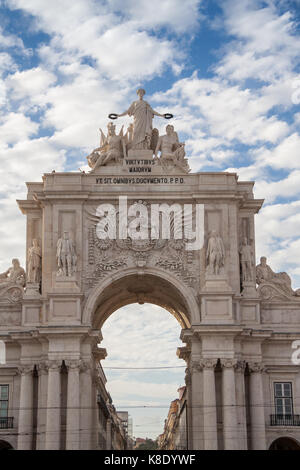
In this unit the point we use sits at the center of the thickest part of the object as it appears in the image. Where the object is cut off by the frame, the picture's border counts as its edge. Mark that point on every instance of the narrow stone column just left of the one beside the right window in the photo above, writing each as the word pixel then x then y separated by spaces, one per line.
pixel 241 405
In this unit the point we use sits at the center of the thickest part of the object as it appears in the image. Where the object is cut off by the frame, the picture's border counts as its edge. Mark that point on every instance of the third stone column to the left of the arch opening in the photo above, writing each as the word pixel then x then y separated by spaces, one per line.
pixel 53 406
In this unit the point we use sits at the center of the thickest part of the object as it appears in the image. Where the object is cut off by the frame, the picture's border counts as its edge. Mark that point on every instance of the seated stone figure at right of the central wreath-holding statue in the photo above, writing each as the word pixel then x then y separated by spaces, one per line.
pixel 172 149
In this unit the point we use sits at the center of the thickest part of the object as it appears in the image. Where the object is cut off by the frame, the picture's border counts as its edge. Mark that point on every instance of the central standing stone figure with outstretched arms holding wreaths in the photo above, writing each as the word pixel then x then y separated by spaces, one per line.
pixel 142 121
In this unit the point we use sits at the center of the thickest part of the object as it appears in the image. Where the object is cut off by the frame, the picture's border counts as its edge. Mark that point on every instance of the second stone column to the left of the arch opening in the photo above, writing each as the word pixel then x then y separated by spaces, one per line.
pixel 73 405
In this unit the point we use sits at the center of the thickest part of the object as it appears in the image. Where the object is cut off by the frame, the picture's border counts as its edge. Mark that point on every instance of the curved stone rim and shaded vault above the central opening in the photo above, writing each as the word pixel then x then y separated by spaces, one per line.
pixel 136 285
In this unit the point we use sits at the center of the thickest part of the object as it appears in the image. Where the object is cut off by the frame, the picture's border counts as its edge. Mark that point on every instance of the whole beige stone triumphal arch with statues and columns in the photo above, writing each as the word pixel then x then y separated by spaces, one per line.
pixel 138 226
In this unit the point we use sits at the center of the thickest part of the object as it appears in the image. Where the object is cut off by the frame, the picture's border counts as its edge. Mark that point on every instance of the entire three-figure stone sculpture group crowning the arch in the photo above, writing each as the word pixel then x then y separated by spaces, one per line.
pixel 140 135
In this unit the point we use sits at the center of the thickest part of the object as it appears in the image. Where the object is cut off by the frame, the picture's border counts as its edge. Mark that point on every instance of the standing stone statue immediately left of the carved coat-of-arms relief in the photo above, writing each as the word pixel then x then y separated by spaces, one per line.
pixel 66 256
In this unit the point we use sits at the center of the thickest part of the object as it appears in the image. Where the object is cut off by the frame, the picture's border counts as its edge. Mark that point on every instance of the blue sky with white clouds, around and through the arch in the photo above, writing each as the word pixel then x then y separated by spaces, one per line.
pixel 229 72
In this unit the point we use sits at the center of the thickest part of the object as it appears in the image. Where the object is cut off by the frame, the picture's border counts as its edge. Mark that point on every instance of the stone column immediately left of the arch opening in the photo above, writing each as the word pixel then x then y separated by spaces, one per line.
pixel 87 411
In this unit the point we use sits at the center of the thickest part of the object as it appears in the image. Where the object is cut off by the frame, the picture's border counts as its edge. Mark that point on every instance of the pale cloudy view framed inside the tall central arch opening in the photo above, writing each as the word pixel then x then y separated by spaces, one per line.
pixel 143 373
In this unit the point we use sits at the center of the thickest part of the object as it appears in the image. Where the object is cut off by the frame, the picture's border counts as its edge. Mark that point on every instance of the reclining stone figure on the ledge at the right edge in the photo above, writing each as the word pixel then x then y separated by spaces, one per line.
pixel 264 274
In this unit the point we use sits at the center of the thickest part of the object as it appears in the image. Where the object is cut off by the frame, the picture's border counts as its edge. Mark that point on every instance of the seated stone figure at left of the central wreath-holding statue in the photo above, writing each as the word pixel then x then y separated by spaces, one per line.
pixel 112 147
